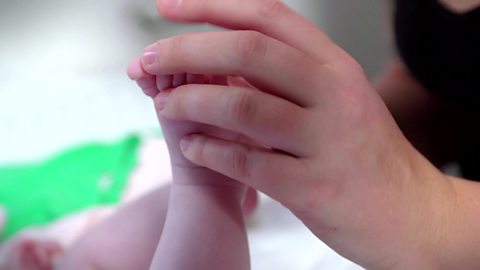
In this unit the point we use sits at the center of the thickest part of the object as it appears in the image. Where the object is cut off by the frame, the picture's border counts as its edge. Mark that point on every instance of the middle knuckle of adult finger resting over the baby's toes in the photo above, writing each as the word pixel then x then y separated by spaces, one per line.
pixel 251 47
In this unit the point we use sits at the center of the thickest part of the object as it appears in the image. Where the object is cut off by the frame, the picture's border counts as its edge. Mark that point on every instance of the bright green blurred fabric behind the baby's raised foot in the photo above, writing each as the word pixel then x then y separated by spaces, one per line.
pixel 89 175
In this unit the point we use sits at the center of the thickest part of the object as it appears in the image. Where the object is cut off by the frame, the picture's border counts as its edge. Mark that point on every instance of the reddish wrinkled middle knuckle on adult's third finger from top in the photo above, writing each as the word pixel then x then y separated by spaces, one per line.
pixel 242 107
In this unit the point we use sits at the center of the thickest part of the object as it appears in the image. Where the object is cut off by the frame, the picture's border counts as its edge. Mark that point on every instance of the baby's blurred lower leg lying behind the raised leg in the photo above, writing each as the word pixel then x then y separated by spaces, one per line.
pixel 126 240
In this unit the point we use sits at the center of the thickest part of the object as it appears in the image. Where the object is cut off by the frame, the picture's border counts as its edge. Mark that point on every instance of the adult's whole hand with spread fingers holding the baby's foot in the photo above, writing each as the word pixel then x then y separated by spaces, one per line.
pixel 334 155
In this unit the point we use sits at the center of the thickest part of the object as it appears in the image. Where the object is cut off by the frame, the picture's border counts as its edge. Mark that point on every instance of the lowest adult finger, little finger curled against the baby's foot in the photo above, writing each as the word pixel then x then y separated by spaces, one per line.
pixel 268 171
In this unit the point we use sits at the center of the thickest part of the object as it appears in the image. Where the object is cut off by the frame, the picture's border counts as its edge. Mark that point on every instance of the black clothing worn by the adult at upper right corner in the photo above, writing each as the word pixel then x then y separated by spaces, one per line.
pixel 441 49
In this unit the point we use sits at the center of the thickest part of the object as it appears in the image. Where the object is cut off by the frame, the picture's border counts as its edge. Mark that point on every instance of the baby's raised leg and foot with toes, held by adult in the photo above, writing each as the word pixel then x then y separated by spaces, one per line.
pixel 204 206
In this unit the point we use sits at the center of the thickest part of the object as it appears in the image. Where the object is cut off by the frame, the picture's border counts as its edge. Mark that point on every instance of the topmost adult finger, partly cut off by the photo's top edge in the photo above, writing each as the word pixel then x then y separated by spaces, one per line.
pixel 270 17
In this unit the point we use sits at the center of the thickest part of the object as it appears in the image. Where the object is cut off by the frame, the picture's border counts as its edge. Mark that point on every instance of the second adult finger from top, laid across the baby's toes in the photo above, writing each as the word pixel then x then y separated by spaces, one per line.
pixel 266 63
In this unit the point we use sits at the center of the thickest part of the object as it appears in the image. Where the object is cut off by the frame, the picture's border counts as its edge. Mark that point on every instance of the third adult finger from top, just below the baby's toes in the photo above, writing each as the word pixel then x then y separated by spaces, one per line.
pixel 265 118
